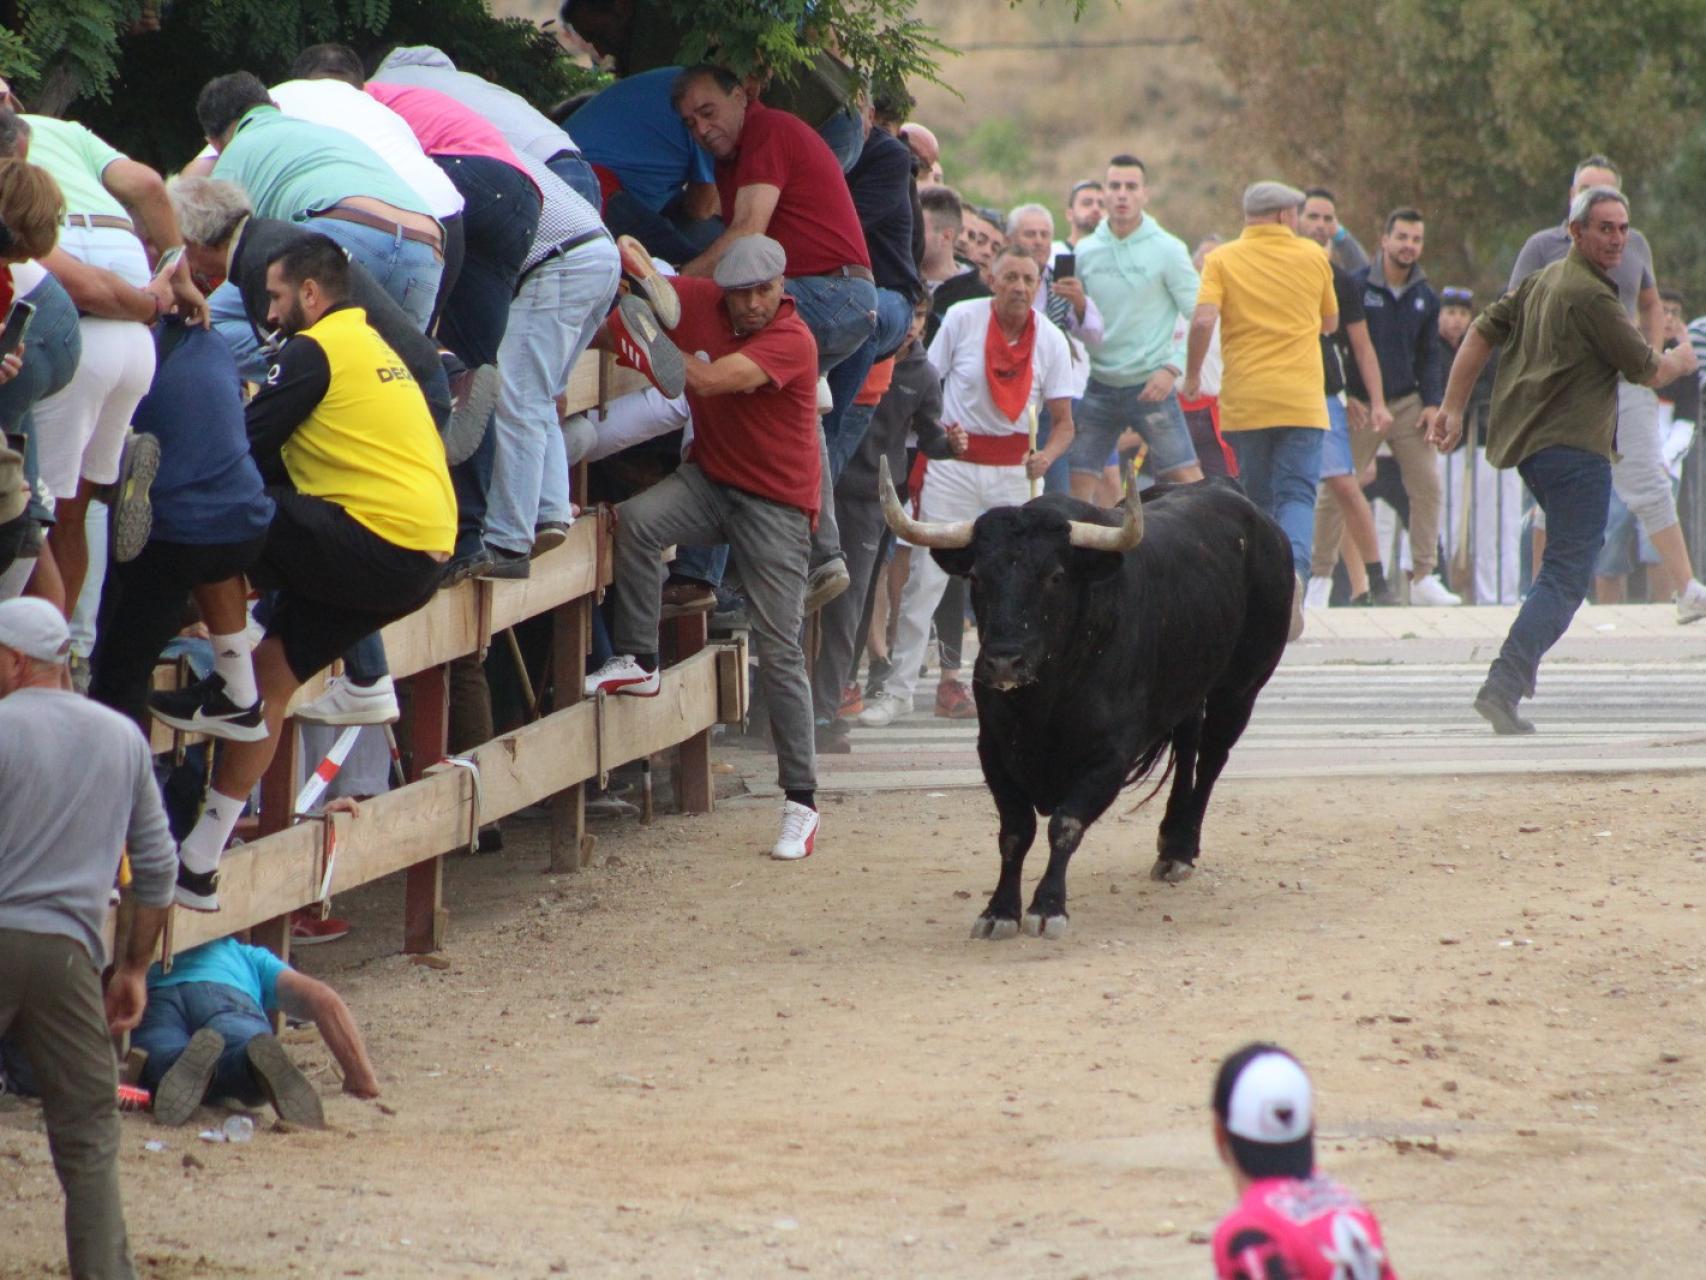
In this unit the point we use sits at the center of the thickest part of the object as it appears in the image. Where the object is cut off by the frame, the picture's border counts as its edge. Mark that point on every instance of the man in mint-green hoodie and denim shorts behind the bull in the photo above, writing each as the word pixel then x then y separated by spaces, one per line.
pixel 1142 281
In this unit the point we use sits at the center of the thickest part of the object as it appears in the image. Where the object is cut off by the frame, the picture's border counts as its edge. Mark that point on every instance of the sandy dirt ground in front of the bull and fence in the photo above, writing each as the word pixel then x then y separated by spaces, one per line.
pixel 692 1061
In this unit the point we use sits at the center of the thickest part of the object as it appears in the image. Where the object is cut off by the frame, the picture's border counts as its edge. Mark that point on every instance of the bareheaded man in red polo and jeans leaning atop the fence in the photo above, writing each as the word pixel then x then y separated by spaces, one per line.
pixel 777 178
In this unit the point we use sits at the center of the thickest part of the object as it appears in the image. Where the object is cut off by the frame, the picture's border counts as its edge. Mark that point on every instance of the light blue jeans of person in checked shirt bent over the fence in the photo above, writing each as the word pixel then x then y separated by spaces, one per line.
pixel 554 320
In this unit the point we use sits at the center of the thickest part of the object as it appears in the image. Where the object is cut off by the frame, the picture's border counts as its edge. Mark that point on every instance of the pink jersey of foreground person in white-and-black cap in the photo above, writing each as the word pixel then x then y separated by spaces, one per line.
pixel 1301 1230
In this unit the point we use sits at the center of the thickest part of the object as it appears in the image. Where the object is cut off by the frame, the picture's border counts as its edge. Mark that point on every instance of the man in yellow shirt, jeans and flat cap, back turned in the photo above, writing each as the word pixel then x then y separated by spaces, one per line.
pixel 1272 293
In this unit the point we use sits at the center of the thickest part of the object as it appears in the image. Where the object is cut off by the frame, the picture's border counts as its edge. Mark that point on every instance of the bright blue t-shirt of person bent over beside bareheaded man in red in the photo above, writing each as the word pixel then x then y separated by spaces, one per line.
pixel 632 131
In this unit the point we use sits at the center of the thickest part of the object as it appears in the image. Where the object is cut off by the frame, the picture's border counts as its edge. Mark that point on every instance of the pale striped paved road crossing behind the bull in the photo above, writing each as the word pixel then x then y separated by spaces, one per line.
pixel 1357 719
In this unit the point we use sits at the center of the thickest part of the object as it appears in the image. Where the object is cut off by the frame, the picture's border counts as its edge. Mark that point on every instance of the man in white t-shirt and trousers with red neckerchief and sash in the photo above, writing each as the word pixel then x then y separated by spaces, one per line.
pixel 1001 364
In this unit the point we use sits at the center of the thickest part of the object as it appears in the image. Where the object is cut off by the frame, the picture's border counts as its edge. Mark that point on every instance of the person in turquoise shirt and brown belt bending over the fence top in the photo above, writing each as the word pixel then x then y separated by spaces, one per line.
pixel 301 172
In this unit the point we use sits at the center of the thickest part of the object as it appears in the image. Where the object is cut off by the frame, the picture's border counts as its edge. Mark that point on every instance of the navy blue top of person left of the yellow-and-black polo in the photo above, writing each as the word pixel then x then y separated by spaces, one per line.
pixel 209 491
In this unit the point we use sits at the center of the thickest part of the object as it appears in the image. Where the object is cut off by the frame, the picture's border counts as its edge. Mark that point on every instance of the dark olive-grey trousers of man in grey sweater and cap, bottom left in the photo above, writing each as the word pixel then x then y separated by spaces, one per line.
pixel 50 992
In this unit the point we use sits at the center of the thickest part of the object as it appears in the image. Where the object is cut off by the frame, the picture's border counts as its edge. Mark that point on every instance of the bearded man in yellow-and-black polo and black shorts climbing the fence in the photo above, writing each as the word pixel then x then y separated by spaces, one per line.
pixel 366 518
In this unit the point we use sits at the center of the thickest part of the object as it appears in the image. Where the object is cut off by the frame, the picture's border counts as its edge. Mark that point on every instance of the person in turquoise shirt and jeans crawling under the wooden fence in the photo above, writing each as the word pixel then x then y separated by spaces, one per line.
pixel 207 1035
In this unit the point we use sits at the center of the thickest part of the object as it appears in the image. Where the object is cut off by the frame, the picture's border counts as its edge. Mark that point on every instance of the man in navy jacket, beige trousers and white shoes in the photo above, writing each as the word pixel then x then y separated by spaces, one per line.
pixel 1403 320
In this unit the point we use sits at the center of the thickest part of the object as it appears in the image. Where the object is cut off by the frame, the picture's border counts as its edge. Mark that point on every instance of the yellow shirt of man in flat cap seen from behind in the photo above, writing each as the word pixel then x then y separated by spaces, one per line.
pixel 1274 289
